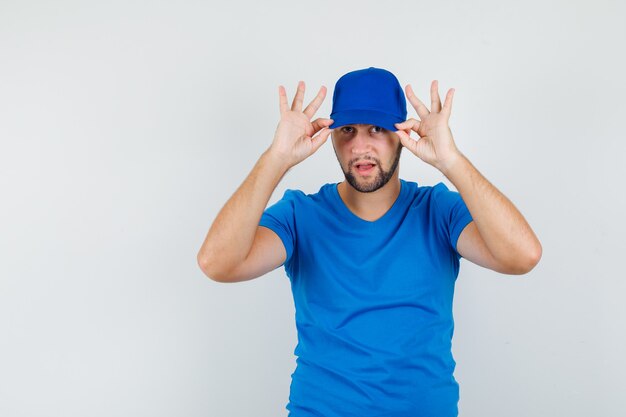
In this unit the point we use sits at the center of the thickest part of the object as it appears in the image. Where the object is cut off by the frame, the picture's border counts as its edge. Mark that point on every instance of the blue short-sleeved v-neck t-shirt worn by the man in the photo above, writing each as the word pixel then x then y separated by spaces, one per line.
pixel 373 302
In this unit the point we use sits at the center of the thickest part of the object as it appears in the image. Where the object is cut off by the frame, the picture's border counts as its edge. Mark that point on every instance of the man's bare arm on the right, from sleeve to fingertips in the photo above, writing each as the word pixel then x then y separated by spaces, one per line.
pixel 500 237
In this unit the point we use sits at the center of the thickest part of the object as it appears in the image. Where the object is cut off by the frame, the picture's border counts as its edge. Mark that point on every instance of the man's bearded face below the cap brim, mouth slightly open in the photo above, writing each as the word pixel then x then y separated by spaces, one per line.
pixel 358 145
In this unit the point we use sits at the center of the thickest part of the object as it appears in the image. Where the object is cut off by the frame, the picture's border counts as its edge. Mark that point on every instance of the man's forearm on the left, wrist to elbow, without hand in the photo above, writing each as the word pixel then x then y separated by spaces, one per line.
pixel 232 233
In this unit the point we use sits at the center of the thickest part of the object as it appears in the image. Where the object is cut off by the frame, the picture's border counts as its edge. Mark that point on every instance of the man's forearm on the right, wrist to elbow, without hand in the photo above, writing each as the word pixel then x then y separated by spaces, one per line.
pixel 504 230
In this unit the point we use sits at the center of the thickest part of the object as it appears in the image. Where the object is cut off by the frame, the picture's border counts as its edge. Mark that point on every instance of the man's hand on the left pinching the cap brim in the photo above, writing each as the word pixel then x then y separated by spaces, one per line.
pixel 293 141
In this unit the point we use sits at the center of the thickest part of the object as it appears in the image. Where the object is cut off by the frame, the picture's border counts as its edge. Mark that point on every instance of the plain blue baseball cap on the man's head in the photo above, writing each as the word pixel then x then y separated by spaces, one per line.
pixel 368 96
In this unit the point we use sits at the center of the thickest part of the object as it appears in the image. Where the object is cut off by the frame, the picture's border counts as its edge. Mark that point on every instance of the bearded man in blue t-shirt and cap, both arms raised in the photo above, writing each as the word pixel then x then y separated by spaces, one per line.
pixel 372 260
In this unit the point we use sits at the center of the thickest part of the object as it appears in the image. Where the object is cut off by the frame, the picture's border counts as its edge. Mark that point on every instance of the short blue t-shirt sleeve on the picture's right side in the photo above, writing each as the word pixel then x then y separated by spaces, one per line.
pixel 454 214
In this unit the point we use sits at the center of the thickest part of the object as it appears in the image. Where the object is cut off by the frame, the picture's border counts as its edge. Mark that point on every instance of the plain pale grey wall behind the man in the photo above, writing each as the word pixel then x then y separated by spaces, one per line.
pixel 126 125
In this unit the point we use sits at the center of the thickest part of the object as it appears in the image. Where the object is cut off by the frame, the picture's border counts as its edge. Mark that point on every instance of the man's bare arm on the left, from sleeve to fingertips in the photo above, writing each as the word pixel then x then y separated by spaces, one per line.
pixel 225 253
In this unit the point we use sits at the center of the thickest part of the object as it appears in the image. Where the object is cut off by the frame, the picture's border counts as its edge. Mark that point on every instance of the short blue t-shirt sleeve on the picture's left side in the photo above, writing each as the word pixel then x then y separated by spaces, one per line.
pixel 280 217
